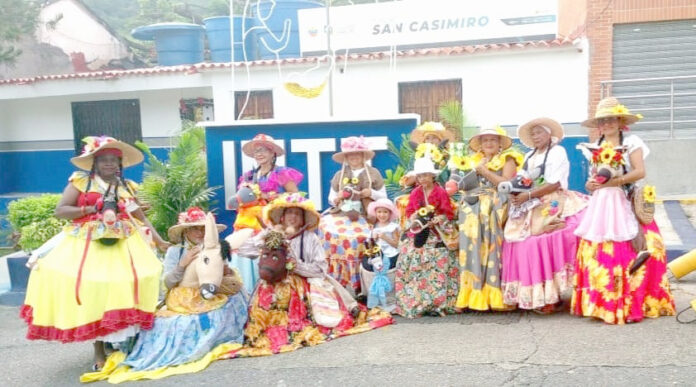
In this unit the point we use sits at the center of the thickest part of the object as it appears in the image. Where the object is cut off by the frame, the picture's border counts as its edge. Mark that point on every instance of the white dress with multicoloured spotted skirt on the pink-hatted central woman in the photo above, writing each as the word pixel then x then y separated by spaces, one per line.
pixel 344 240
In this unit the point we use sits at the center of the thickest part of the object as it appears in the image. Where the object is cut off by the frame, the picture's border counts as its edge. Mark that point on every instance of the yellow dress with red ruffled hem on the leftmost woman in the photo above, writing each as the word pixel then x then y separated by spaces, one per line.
pixel 84 289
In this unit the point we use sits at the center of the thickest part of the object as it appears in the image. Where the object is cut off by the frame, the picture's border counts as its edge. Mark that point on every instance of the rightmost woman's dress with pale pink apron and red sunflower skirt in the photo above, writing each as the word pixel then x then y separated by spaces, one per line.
pixel 603 287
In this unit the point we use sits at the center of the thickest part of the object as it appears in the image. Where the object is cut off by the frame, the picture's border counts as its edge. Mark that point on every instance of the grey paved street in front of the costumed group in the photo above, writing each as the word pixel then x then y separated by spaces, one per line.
pixel 515 348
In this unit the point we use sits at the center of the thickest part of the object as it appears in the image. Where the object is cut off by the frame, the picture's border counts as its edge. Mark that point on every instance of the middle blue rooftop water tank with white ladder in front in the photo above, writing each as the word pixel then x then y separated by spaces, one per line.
pixel 218 31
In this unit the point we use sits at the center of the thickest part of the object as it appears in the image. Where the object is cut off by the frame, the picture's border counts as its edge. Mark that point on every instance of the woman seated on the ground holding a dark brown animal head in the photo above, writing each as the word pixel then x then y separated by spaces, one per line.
pixel 282 315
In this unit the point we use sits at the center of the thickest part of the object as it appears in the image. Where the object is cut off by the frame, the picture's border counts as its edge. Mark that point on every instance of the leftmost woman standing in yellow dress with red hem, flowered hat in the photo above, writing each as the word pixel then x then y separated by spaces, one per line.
pixel 101 281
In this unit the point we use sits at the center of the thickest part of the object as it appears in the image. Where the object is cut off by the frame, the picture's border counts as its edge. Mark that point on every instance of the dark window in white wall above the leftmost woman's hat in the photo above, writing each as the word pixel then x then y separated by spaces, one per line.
pixel 116 118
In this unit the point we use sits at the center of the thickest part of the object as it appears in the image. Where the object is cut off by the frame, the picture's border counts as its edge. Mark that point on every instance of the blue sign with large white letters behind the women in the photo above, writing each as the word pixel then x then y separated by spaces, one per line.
pixel 308 148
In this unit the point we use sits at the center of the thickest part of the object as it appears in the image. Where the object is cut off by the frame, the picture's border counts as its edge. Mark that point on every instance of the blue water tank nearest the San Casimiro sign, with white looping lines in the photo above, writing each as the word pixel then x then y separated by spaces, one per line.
pixel 283 10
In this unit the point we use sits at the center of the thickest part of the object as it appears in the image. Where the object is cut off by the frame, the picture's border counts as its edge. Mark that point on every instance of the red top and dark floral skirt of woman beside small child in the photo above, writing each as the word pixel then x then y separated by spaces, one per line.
pixel 427 277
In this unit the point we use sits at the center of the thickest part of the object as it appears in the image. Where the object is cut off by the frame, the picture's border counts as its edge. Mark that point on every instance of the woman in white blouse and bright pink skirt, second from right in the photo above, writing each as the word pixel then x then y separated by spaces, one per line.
pixel 539 247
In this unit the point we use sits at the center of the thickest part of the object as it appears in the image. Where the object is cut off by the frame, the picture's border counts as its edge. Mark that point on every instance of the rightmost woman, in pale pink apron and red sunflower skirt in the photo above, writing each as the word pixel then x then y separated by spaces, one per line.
pixel 611 282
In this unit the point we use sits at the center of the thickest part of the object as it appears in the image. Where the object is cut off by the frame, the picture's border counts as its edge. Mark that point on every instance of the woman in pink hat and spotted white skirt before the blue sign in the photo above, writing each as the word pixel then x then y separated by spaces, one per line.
pixel 345 228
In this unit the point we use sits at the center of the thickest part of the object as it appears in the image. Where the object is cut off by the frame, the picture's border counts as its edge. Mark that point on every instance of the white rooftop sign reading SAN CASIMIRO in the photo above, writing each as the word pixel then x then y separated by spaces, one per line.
pixel 414 23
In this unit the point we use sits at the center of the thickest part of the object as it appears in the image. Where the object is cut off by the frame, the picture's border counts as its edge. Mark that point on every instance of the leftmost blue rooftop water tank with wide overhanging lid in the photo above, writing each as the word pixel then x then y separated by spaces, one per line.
pixel 176 43
